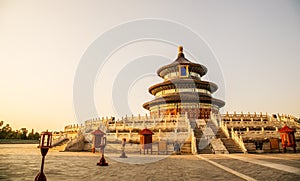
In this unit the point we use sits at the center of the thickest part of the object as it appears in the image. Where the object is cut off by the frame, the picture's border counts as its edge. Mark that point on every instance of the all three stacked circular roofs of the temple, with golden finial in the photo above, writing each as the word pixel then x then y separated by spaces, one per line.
pixel 185 85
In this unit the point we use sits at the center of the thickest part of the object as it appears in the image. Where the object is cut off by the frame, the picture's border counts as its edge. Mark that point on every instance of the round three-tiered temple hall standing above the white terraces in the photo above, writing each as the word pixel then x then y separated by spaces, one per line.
pixel 183 91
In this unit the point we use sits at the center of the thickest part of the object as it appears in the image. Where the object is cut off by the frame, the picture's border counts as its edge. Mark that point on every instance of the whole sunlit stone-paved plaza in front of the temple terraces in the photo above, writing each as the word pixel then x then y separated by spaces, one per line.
pixel 24 164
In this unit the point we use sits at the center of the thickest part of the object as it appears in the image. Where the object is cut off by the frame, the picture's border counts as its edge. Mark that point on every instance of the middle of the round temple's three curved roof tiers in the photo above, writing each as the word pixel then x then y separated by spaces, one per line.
pixel 183 83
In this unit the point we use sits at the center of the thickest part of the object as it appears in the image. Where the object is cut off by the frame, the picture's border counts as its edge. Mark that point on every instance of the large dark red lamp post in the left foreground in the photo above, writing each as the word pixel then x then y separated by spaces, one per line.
pixel 45 144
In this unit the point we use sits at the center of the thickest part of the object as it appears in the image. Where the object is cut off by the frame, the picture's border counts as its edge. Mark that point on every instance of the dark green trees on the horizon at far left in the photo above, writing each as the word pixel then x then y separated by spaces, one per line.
pixel 6 132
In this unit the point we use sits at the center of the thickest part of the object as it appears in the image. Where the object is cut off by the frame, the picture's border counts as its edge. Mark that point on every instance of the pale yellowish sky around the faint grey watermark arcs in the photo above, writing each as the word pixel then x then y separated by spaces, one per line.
pixel 256 45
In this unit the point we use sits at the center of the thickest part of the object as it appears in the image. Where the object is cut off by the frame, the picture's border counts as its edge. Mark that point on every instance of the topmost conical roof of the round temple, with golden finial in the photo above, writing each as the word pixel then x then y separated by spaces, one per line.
pixel 181 60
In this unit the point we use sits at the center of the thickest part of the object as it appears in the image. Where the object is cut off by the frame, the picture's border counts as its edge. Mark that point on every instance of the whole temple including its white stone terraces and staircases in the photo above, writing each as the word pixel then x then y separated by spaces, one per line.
pixel 185 113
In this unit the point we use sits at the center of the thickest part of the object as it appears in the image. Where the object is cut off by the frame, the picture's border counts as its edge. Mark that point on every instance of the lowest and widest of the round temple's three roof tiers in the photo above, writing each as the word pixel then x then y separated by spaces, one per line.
pixel 184 97
